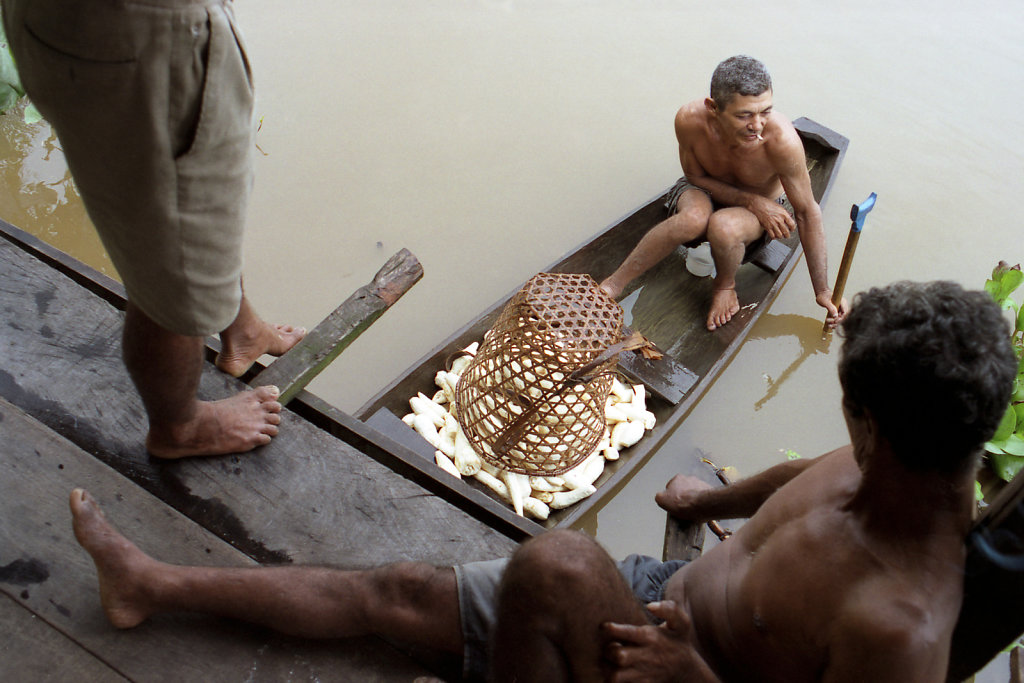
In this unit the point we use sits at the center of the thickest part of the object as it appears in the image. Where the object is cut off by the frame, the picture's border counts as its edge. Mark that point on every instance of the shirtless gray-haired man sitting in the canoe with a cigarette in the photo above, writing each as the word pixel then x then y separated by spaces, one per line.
pixel 745 182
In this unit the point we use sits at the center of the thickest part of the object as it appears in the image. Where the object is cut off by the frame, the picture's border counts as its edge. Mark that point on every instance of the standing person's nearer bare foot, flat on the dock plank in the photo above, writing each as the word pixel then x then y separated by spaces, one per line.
pixel 237 424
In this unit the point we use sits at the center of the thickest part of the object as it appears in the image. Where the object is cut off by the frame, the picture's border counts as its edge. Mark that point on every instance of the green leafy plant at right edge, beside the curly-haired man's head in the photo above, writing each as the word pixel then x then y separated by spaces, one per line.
pixel 1006 451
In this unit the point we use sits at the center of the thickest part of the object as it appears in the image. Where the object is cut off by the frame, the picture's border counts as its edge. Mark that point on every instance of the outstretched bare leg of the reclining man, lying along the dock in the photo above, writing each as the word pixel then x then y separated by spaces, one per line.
pixel 413 603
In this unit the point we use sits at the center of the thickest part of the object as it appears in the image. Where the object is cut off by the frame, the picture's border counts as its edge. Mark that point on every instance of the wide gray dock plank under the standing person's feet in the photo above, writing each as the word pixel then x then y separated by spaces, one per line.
pixel 308 497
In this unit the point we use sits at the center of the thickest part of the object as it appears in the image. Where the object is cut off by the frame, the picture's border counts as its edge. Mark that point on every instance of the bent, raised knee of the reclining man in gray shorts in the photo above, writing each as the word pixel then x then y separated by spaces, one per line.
pixel 557 592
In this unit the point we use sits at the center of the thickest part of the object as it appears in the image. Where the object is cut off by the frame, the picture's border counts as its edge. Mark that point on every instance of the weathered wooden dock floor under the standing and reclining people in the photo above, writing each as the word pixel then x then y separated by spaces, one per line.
pixel 70 417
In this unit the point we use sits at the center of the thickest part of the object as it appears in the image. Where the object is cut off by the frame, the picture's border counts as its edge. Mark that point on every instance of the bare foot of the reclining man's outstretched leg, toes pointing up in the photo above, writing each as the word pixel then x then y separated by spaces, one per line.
pixel 120 566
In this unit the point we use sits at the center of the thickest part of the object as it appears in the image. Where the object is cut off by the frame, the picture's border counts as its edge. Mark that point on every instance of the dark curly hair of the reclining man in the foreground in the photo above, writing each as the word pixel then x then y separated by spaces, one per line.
pixel 934 365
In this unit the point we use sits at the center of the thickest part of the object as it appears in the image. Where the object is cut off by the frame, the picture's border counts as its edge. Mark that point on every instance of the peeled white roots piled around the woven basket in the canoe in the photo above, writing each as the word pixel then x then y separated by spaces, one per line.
pixel 626 414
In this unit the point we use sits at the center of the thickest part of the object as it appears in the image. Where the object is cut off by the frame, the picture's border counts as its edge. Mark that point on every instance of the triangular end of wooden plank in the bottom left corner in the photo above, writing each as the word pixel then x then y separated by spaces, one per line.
pixel 33 651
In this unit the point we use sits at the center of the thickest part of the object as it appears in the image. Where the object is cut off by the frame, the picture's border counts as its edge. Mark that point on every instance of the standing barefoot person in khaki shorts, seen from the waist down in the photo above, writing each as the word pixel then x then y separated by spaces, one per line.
pixel 153 106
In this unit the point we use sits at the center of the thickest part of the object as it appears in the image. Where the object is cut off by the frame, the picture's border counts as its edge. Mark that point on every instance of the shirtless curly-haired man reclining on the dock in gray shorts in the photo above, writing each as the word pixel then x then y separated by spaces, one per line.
pixel 850 568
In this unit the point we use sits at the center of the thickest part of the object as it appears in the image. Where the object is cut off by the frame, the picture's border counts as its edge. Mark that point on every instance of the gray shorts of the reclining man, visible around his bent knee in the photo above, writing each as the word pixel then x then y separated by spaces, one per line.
pixel 479 583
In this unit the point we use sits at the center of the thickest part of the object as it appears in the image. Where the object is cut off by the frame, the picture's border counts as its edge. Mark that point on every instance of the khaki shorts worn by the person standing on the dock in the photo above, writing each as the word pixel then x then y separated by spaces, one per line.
pixel 153 104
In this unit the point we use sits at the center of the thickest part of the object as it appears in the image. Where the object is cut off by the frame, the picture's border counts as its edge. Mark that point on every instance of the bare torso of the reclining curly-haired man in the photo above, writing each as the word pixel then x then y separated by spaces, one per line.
pixel 775 601
